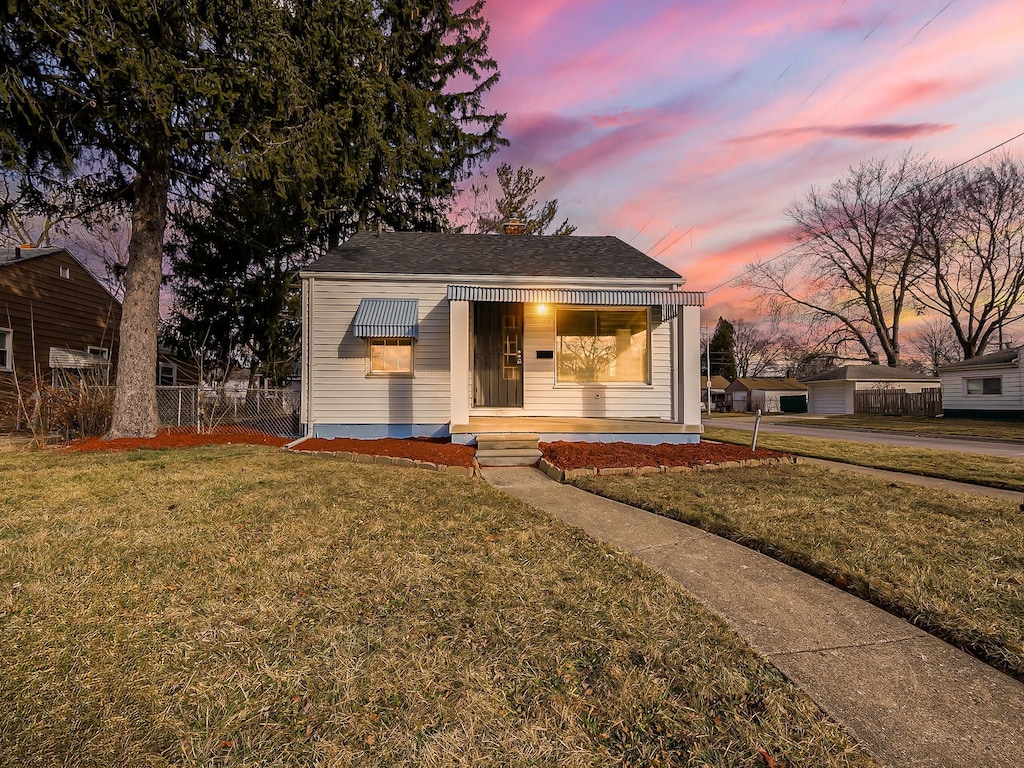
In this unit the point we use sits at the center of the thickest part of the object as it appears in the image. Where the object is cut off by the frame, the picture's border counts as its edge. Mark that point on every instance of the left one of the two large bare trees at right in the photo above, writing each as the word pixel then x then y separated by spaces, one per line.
pixel 851 270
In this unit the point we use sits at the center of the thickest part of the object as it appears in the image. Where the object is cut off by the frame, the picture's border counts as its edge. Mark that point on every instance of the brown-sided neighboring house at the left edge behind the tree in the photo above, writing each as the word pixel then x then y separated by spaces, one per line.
pixel 57 320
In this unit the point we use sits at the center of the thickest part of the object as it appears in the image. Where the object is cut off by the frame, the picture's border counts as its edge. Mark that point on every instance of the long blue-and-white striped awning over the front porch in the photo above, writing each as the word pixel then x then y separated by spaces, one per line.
pixel 577 296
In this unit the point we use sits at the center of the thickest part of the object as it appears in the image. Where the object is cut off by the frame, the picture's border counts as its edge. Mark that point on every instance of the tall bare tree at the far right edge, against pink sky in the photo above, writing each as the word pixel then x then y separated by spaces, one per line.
pixel 969 228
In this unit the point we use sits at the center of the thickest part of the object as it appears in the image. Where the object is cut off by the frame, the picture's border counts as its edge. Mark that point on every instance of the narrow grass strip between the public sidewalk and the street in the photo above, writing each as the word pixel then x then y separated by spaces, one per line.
pixel 996 472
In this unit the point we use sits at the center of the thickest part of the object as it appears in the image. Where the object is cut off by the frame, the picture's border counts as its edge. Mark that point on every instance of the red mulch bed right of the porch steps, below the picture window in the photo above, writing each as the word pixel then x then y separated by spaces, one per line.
pixel 613 455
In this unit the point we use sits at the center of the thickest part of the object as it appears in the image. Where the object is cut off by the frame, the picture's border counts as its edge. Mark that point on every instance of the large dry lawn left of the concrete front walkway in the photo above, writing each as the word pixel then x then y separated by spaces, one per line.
pixel 241 606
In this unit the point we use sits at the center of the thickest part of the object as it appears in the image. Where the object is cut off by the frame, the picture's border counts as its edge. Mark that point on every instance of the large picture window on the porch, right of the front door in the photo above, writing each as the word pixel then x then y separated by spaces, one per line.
pixel 603 346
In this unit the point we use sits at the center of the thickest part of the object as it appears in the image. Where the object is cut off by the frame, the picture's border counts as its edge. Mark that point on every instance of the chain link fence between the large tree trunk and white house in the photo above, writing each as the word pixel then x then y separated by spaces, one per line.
pixel 272 411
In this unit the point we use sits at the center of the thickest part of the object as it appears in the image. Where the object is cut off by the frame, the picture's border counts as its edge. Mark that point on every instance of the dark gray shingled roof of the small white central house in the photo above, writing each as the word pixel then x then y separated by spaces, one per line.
pixel 435 253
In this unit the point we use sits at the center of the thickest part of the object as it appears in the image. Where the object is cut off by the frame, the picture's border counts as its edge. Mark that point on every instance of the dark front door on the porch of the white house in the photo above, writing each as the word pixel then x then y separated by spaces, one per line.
pixel 498 355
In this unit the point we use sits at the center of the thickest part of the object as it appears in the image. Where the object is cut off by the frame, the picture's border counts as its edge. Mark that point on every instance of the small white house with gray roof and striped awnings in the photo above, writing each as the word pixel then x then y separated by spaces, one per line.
pixel 430 334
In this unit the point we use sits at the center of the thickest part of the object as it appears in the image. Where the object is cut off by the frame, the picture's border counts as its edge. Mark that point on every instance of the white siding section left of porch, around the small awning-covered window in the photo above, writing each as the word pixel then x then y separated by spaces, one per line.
pixel 344 394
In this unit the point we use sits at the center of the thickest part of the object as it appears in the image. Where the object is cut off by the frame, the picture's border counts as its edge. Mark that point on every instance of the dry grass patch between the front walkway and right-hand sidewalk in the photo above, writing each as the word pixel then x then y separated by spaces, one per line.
pixel 951 564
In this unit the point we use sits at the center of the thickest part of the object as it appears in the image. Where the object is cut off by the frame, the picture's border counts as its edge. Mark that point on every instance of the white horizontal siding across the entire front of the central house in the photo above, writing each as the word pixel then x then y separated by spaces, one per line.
pixel 342 393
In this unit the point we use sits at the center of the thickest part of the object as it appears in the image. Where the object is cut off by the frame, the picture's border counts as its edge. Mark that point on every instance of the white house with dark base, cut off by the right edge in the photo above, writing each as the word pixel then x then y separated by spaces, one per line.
pixel 989 388
